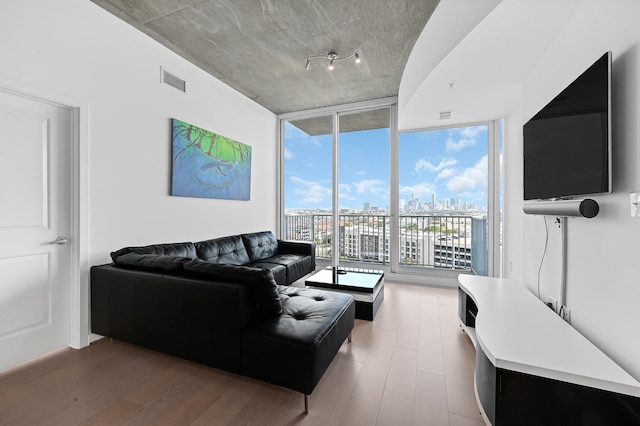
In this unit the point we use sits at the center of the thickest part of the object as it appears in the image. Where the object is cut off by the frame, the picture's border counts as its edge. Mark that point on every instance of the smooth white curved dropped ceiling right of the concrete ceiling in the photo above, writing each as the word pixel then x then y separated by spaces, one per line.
pixel 480 78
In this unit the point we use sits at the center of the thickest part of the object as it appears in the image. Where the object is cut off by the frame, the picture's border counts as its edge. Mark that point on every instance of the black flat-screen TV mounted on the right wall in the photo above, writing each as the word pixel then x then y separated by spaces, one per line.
pixel 567 144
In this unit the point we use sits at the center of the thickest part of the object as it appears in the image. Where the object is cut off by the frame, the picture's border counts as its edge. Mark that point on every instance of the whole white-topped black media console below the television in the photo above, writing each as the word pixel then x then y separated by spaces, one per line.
pixel 534 368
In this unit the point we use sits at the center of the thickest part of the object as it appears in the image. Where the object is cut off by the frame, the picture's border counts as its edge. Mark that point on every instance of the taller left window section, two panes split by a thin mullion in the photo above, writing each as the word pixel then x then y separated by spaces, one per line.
pixel 335 183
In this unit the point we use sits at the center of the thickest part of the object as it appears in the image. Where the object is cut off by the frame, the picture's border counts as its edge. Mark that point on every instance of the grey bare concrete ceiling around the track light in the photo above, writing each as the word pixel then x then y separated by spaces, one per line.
pixel 259 47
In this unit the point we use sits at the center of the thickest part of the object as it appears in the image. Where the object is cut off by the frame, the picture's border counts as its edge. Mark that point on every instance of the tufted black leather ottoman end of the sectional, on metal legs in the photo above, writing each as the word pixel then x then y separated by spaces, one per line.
pixel 311 329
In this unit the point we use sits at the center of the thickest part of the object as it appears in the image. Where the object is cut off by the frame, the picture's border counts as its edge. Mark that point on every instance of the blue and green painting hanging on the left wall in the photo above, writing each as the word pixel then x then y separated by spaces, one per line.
pixel 209 165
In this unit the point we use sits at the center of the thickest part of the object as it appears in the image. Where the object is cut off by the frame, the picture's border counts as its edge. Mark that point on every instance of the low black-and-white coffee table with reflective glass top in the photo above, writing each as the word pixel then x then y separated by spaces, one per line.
pixel 365 285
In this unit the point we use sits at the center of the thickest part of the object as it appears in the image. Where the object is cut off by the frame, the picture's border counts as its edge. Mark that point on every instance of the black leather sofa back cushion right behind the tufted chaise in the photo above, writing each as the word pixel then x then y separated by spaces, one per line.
pixel 260 282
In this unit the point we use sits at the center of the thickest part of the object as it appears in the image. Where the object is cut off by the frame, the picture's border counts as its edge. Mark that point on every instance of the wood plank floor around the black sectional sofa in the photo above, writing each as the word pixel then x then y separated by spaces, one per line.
pixel 411 366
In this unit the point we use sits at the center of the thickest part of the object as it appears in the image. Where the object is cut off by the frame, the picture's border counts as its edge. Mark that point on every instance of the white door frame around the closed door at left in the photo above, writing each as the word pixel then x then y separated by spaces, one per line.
pixel 79 261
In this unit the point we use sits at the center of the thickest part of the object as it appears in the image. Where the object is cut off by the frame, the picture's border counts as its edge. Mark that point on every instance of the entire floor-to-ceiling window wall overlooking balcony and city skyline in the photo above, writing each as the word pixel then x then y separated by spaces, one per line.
pixel 423 202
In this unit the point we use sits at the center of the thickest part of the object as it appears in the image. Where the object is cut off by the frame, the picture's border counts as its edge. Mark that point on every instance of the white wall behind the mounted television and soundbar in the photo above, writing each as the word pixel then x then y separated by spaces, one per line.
pixel 603 288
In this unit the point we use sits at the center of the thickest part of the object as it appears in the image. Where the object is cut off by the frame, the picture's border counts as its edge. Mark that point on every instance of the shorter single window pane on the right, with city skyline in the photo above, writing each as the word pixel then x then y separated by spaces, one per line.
pixel 445 177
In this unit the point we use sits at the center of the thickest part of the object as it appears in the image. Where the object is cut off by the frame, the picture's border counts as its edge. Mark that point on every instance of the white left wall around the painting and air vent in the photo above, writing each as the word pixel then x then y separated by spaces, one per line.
pixel 74 49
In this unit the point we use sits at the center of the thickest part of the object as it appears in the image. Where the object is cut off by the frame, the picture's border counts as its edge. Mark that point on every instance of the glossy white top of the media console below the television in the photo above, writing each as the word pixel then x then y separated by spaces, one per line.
pixel 517 332
